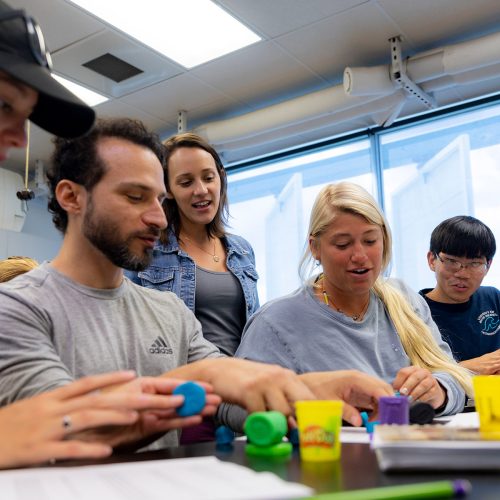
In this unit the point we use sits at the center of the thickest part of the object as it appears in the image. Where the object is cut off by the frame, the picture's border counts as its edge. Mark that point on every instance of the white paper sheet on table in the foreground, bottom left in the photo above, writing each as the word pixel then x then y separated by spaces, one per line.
pixel 180 479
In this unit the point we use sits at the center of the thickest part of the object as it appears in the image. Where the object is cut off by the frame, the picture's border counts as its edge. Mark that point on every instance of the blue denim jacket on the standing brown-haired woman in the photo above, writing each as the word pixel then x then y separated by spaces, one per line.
pixel 172 269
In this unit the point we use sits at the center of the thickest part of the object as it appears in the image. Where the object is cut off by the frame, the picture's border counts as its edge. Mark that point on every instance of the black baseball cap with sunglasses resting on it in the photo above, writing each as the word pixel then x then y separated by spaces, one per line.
pixel 23 55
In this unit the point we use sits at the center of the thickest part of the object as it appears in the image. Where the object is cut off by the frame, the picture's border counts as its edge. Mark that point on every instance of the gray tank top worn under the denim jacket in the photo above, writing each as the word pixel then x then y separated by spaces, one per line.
pixel 220 308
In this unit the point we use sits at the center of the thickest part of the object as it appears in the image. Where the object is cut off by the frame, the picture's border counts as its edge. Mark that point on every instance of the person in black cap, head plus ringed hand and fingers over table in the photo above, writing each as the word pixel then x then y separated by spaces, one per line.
pixel 42 428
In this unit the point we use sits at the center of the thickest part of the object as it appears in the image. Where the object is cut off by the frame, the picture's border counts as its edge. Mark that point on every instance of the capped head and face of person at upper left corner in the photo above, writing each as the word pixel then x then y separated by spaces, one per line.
pixel 27 86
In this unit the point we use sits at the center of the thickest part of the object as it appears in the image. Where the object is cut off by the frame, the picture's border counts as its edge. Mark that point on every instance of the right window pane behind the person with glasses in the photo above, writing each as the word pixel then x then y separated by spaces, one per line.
pixel 435 170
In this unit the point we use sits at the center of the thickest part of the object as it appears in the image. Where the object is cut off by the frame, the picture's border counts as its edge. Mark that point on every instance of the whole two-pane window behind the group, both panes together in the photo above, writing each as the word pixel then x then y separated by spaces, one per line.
pixel 428 171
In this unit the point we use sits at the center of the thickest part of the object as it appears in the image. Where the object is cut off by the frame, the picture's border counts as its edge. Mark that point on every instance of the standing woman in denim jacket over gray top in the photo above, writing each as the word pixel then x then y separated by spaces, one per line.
pixel 212 271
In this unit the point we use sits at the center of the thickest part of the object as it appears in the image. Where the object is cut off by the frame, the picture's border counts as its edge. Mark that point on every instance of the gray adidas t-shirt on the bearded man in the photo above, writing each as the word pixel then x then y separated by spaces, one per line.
pixel 54 330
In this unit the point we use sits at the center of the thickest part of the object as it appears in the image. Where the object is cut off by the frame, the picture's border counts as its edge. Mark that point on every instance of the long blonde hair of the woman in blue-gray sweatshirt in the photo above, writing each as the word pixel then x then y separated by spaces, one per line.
pixel 416 337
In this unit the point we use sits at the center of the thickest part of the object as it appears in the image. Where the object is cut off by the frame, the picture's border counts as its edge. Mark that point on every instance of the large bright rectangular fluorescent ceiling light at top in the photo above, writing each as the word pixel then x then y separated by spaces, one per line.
pixel 189 32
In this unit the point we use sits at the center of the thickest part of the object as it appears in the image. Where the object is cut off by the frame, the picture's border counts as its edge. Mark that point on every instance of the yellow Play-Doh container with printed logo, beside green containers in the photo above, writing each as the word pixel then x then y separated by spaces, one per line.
pixel 319 424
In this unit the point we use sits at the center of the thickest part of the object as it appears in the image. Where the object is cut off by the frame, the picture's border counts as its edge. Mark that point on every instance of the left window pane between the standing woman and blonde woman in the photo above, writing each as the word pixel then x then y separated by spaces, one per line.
pixel 270 206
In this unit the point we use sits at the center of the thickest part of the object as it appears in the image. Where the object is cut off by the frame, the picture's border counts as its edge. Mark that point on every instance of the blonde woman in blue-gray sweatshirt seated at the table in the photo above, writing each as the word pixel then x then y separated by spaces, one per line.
pixel 349 316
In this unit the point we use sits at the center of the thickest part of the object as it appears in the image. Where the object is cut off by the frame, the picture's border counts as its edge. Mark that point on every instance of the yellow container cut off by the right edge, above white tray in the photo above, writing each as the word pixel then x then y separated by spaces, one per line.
pixel 487 401
